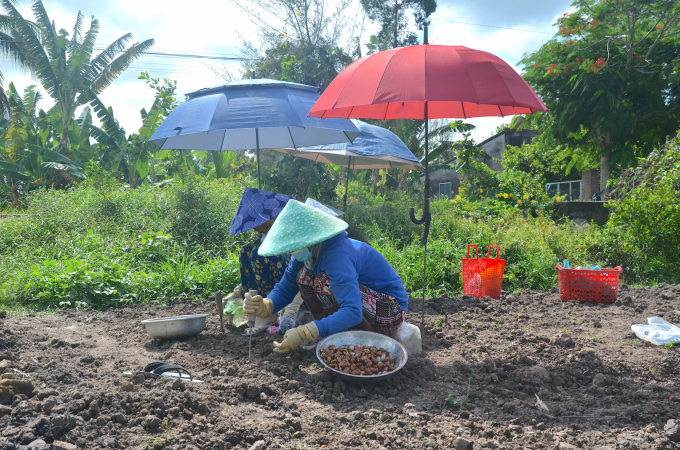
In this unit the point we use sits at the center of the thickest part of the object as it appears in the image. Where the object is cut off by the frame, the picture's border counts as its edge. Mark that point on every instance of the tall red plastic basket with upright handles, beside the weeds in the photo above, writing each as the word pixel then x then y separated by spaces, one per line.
pixel 483 276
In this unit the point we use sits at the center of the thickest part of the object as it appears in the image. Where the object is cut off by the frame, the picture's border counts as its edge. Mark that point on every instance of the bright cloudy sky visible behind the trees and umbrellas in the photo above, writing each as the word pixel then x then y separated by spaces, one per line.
pixel 212 27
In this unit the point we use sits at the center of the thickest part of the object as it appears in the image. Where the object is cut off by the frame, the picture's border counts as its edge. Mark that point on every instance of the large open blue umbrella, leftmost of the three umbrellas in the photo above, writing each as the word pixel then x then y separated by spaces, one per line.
pixel 250 114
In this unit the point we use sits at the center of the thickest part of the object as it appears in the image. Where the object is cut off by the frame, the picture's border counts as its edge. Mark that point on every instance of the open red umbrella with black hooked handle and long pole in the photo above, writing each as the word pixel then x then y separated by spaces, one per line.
pixel 427 82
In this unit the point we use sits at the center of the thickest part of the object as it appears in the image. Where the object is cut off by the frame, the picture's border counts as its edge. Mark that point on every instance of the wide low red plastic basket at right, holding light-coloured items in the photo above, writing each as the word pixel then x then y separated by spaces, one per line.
pixel 589 286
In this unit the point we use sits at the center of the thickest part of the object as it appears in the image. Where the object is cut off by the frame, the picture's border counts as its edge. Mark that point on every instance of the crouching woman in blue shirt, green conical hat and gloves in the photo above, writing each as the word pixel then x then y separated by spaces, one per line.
pixel 345 283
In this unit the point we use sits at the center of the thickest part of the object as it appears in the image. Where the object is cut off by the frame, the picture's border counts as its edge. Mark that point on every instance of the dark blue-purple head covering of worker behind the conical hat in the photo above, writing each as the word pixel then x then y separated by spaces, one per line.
pixel 257 207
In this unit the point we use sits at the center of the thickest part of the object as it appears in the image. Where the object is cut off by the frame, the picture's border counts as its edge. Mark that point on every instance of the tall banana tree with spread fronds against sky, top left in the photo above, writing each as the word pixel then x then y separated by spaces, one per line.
pixel 64 64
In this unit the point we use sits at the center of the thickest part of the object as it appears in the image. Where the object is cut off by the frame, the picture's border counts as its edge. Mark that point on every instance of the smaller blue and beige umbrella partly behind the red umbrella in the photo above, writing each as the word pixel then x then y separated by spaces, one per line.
pixel 374 148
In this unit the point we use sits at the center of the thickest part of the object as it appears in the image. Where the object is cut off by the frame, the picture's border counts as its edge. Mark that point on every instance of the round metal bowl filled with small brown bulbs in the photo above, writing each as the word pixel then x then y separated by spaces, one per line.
pixel 364 338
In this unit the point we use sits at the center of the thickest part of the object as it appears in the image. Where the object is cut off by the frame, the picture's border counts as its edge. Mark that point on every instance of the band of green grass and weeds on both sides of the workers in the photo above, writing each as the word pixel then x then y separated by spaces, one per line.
pixel 102 245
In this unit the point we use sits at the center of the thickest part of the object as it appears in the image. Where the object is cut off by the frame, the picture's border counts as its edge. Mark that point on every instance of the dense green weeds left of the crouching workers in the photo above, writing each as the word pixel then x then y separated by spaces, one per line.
pixel 103 245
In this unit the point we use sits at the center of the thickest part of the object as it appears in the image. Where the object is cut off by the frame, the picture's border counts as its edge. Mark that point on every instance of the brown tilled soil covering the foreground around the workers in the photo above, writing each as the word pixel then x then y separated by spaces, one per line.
pixel 476 385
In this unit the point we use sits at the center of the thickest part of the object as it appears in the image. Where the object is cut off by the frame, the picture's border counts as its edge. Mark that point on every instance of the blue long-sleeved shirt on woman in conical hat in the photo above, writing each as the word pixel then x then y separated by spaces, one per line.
pixel 347 263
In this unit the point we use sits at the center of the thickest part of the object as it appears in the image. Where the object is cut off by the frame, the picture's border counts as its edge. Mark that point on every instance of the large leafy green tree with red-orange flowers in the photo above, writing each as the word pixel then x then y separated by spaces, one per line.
pixel 611 72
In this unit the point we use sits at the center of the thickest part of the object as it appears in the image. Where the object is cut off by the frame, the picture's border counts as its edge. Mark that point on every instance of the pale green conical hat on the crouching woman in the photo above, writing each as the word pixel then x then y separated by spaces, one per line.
pixel 298 226
